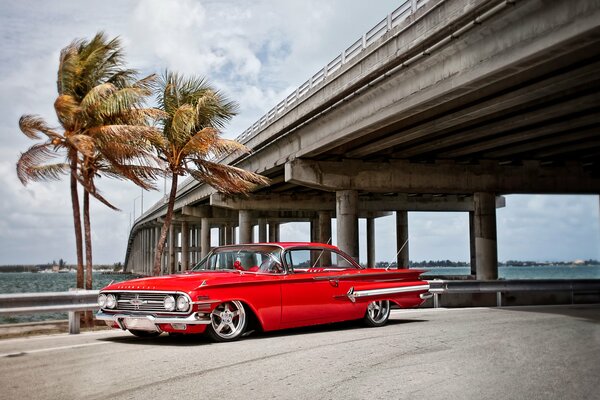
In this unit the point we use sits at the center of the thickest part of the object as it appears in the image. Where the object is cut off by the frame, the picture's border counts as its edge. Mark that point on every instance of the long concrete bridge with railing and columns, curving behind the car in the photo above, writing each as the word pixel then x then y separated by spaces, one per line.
pixel 445 105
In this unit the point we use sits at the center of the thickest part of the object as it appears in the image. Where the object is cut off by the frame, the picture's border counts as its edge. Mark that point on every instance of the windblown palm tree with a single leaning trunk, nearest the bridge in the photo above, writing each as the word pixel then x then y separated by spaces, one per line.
pixel 194 114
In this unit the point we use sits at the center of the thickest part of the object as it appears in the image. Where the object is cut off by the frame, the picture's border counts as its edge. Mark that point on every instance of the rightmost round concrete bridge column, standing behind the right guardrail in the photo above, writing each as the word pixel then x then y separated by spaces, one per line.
pixel 486 249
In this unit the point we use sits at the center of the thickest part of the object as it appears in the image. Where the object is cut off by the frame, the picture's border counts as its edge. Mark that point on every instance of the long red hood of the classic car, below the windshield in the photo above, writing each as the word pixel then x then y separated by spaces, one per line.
pixel 187 281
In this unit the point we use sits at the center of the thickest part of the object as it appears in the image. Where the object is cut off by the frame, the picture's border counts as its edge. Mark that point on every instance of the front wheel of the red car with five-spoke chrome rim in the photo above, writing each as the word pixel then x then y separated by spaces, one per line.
pixel 227 321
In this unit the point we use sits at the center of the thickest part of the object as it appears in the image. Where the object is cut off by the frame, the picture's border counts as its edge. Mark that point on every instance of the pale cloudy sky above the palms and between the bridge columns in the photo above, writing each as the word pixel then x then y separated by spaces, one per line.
pixel 255 52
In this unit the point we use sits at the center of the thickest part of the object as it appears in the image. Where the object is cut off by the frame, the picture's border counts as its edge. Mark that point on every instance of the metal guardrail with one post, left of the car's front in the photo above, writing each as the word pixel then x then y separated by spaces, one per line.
pixel 73 302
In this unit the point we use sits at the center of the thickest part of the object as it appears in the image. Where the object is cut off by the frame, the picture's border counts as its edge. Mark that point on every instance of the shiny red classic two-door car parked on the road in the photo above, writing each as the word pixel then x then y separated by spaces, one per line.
pixel 267 286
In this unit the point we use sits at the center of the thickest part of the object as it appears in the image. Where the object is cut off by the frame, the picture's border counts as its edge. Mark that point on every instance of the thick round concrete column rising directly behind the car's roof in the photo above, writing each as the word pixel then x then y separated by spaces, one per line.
pixel 347 221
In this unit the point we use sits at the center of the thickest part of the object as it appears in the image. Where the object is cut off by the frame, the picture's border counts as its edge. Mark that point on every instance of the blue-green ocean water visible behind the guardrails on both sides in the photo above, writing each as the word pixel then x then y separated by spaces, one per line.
pixel 50 282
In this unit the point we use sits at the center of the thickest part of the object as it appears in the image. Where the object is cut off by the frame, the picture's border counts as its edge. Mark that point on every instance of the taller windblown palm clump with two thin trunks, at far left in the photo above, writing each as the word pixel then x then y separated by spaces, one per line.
pixel 104 129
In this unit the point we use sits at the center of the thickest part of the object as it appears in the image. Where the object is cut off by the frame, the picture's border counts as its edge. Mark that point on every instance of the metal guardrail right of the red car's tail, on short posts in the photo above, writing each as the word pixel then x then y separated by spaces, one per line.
pixel 444 287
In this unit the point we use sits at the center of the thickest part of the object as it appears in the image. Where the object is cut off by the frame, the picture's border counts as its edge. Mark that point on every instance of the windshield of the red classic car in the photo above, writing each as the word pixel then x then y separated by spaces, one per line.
pixel 244 258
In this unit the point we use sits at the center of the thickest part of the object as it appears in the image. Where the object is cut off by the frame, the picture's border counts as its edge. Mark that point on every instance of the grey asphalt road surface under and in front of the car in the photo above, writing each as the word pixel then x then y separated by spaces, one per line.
pixel 508 353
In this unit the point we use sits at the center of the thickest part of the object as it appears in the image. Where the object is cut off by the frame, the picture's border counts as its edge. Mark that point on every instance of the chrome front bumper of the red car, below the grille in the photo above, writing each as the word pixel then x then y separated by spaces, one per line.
pixel 150 322
